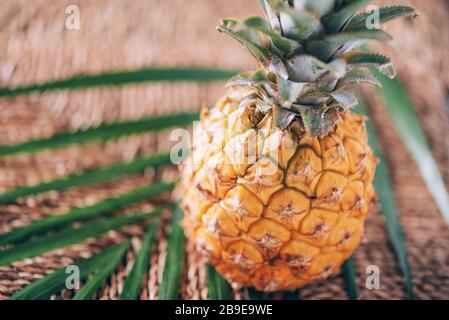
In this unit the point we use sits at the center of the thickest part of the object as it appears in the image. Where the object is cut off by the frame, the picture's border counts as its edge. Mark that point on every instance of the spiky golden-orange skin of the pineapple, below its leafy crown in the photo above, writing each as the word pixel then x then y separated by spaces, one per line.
pixel 275 209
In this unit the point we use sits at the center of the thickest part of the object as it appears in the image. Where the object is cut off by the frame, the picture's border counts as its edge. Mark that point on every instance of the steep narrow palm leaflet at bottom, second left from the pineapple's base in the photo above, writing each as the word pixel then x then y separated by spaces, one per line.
pixel 133 282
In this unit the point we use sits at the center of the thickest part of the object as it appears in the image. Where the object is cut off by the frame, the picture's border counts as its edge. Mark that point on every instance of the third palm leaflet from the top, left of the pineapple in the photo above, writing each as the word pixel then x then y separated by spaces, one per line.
pixel 88 177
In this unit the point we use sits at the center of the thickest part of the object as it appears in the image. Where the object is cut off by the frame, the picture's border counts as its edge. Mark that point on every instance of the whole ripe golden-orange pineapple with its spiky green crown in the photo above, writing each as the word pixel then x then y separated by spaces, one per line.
pixel 279 180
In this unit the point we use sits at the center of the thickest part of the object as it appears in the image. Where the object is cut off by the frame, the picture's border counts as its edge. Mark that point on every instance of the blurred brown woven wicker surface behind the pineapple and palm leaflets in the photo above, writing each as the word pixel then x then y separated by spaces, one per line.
pixel 119 34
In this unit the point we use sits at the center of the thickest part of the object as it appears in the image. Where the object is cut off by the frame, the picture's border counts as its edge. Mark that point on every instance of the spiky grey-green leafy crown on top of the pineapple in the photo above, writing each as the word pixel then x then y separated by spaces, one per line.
pixel 311 57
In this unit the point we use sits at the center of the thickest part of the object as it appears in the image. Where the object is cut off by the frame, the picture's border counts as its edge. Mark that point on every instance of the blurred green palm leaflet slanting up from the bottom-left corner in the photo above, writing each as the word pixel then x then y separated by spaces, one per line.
pixel 54 282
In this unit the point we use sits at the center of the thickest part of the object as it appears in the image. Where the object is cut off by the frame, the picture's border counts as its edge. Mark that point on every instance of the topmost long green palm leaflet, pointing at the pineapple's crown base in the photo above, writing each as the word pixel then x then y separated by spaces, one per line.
pixel 123 77
